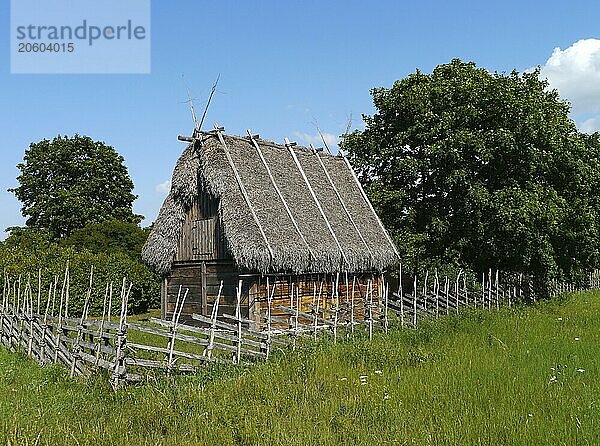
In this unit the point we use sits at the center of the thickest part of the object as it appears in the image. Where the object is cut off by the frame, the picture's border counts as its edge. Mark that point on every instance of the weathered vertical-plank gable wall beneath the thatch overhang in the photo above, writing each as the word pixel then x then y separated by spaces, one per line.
pixel 202 236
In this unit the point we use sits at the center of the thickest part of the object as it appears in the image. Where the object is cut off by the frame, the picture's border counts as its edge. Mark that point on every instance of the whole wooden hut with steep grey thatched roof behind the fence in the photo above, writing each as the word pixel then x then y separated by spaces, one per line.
pixel 245 209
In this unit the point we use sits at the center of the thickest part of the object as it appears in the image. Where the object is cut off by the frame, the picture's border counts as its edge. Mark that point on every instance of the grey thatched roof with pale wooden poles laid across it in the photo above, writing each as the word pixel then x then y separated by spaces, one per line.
pixel 274 222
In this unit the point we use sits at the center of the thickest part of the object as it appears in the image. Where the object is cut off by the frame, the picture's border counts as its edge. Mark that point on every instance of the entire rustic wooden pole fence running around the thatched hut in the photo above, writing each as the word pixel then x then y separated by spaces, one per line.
pixel 129 352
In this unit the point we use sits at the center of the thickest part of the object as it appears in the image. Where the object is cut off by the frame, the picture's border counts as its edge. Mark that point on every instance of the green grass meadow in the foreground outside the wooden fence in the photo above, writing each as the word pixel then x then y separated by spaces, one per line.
pixel 525 376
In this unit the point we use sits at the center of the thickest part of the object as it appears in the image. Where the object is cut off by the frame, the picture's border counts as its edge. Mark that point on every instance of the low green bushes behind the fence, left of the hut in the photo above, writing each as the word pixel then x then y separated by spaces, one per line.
pixel 22 255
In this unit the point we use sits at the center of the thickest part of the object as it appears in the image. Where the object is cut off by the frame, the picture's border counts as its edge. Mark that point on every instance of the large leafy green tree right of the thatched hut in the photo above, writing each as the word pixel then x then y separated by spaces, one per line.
pixel 482 169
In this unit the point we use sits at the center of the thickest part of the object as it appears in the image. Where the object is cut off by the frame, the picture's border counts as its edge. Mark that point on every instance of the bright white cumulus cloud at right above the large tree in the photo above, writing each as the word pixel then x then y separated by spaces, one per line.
pixel 575 73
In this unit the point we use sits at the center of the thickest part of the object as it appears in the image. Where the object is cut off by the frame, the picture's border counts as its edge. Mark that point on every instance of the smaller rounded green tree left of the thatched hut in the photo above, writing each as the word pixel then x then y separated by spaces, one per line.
pixel 70 182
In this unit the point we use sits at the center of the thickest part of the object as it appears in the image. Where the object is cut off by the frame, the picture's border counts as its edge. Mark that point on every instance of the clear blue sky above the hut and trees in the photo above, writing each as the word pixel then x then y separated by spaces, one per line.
pixel 284 66
